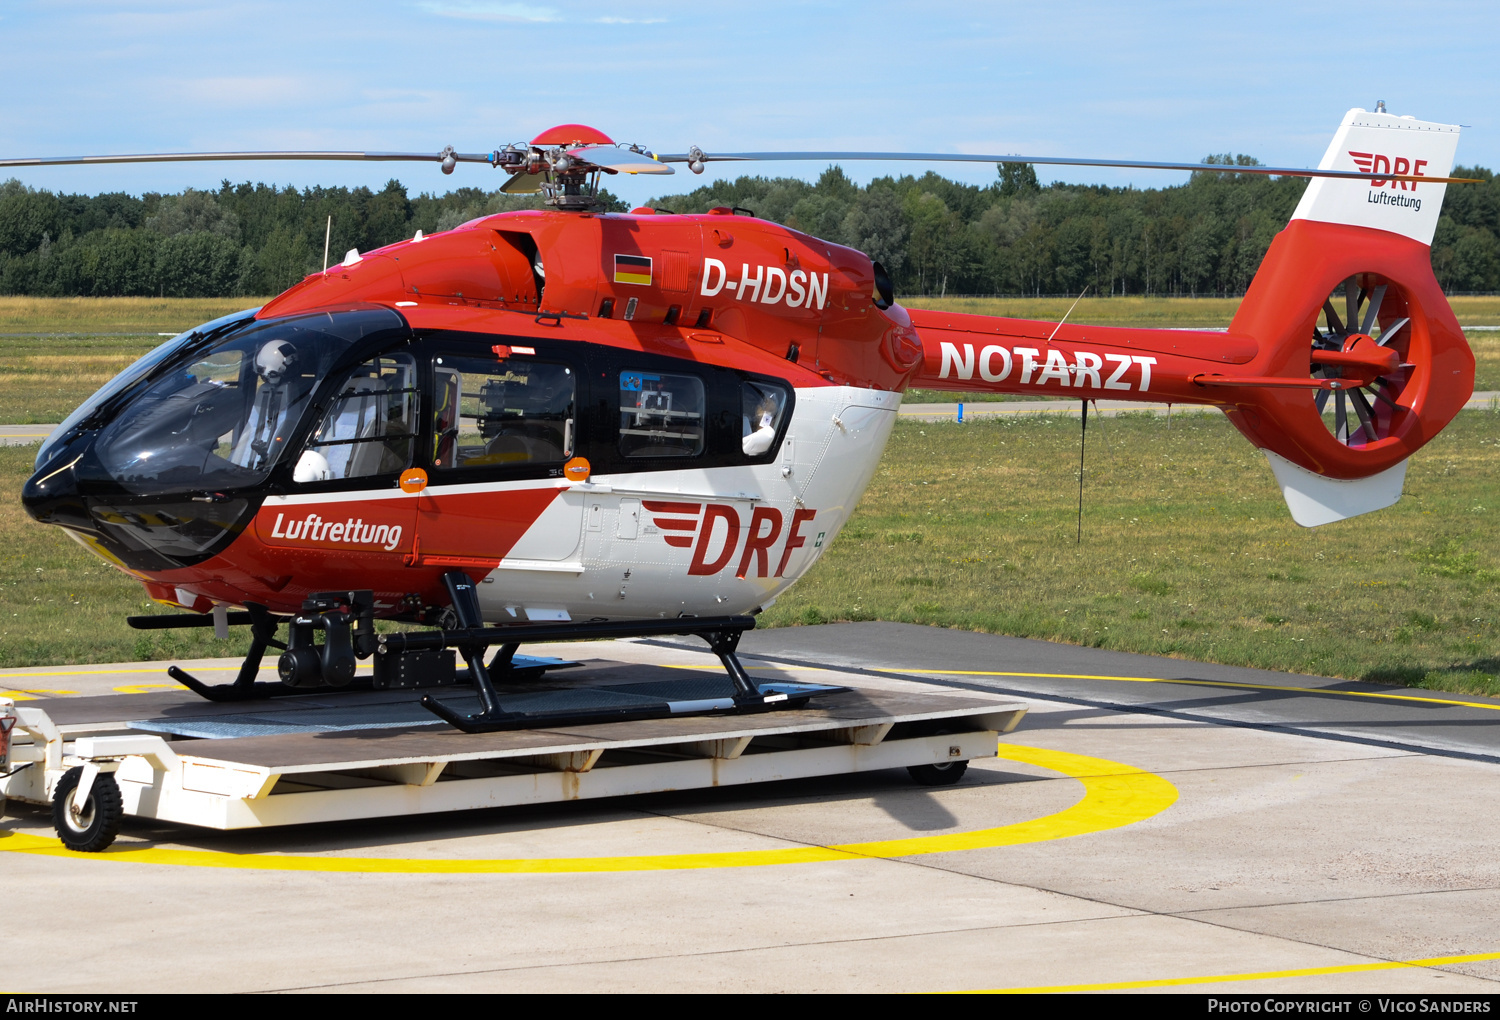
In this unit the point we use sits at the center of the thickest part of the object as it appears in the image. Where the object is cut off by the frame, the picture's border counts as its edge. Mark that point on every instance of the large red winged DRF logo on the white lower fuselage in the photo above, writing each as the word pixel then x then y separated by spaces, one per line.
pixel 719 530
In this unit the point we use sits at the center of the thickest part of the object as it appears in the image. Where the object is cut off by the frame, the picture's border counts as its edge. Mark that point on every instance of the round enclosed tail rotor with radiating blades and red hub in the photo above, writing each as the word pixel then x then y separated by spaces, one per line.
pixel 1363 346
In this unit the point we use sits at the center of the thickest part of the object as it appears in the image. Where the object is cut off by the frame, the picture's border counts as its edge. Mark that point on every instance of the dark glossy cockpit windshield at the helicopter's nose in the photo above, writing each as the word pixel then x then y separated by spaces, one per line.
pixel 172 460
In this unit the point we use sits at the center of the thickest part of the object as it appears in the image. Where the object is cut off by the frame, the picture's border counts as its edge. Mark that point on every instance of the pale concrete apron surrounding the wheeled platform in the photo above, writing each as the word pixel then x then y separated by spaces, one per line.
pixel 1286 863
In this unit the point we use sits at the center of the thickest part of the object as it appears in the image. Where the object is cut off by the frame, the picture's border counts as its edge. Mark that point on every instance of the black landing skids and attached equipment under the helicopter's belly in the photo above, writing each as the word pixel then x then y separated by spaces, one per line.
pixel 428 659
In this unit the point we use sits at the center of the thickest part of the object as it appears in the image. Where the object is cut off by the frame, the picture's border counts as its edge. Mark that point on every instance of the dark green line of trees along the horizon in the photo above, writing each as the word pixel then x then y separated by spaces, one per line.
pixel 934 236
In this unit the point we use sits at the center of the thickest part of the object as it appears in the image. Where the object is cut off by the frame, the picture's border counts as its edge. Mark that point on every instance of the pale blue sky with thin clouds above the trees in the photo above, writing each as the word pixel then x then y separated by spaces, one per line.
pixel 1171 82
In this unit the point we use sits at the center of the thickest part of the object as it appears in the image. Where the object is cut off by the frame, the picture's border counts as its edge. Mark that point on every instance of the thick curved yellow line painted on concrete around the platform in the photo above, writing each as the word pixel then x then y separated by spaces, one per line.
pixel 1114 796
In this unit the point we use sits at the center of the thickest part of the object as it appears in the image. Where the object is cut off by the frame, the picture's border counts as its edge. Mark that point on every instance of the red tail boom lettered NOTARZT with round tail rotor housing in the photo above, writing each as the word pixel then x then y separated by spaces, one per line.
pixel 1268 371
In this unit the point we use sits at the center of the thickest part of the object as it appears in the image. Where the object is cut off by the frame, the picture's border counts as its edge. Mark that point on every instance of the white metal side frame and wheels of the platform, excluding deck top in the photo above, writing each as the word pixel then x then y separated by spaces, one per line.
pixel 94 775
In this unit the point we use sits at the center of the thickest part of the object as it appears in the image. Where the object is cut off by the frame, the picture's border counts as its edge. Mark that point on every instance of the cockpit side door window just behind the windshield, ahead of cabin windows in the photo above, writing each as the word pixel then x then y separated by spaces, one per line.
pixel 370 427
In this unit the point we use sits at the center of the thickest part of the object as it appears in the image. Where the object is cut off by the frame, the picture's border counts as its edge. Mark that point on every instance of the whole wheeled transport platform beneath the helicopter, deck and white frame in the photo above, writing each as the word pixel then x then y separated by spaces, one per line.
pixel 334 757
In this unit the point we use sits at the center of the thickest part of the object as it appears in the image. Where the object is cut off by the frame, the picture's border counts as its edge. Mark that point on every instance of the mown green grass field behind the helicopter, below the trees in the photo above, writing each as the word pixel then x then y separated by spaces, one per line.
pixel 1187 547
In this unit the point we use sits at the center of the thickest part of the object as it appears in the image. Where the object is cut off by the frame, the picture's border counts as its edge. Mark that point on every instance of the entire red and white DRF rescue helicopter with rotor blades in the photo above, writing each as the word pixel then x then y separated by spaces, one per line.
pixel 574 424
